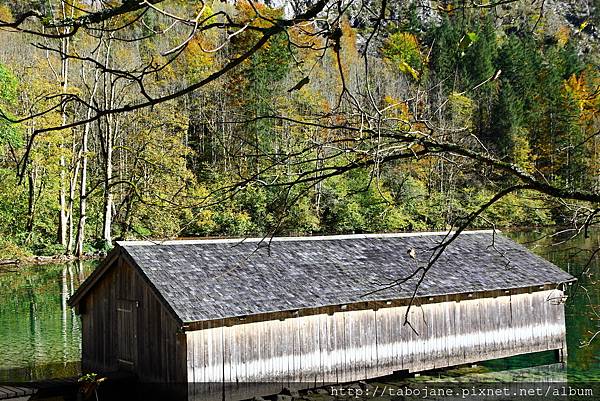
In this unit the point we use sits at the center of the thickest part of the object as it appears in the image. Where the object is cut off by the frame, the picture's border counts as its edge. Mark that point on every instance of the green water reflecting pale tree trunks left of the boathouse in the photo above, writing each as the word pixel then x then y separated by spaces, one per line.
pixel 40 333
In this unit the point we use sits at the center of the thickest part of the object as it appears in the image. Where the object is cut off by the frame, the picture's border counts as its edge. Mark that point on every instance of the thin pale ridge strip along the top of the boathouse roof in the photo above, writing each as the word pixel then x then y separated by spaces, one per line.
pixel 297 238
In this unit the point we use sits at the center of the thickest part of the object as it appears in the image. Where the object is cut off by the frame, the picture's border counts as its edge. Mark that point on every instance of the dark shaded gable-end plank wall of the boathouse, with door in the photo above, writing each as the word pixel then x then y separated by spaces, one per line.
pixel 149 336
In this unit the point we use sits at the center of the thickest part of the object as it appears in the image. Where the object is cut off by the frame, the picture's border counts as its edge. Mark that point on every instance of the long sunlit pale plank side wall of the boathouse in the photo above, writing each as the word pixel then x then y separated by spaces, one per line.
pixel 355 345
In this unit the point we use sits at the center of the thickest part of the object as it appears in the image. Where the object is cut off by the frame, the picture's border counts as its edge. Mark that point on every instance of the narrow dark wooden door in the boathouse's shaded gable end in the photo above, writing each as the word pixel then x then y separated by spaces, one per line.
pixel 126 334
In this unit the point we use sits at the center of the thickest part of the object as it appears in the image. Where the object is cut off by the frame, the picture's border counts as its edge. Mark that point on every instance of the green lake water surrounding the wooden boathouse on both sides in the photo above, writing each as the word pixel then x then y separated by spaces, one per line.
pixel 40 335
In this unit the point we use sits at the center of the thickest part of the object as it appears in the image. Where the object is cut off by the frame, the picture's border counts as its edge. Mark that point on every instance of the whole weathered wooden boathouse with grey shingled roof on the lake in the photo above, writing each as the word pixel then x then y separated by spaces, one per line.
pixel 303 309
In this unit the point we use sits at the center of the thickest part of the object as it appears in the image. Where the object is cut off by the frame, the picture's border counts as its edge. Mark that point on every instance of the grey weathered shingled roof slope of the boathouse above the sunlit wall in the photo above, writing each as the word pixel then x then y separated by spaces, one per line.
pixel 204 280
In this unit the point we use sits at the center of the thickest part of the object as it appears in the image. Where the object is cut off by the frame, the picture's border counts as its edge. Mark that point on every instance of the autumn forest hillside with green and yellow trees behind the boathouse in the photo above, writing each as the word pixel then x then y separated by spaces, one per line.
pixel 257 150
